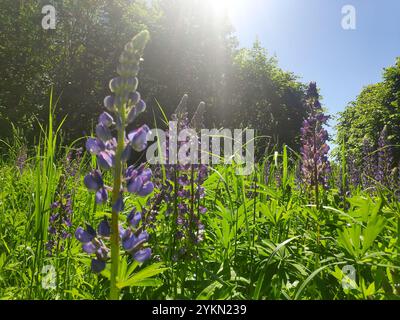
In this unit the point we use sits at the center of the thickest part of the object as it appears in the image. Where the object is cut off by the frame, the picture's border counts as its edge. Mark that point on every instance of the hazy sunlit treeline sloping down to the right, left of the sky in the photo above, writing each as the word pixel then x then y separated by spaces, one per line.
pixel 191 51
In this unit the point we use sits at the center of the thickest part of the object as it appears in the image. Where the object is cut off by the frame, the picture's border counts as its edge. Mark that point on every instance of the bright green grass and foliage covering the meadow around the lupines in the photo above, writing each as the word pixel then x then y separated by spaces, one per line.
pixel 264 240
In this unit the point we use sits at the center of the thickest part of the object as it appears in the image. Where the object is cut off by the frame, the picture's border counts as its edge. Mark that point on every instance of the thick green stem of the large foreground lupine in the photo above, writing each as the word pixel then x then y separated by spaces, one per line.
pixel 114 291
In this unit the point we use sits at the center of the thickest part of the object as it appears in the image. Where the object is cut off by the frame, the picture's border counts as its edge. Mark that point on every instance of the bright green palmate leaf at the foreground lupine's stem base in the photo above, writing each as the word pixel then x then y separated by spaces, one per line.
pixel 143 277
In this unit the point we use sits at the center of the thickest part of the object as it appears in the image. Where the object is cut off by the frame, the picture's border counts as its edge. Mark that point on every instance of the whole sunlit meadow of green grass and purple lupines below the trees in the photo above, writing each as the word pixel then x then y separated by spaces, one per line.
pixel 95 218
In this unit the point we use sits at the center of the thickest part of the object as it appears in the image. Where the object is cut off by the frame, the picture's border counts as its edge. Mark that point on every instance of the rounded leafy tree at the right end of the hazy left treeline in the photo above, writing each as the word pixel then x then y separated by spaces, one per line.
pixel 265 97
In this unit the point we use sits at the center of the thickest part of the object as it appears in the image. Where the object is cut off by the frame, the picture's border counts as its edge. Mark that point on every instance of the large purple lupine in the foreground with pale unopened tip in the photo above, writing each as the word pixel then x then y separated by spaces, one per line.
pixel 124 105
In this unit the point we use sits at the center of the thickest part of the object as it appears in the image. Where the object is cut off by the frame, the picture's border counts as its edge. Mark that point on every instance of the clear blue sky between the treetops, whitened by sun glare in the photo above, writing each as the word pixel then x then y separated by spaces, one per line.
pixel 308 39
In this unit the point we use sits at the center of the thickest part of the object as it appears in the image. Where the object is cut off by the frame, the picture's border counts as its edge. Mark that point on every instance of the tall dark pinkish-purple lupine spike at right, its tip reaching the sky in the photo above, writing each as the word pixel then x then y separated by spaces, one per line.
pixel 315 166
